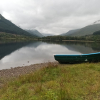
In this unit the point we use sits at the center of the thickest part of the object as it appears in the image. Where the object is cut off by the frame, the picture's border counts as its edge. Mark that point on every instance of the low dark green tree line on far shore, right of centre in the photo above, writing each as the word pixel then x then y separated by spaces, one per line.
pixel 74 38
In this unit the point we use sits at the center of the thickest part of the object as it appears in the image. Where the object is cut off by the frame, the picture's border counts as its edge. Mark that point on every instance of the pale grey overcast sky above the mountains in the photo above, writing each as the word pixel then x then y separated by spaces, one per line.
pixel 51 16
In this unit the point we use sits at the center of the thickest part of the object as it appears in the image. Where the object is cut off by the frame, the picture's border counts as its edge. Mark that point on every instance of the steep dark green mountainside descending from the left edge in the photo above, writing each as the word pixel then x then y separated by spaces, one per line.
pixel 8 27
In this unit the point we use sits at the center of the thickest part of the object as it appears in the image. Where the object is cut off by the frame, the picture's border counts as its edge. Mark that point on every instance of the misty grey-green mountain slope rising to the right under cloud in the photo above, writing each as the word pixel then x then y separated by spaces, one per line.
pixel 87 30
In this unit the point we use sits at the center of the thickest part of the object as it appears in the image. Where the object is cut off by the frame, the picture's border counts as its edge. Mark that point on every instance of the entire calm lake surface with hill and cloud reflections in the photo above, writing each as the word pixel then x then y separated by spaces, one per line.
pixel 21 54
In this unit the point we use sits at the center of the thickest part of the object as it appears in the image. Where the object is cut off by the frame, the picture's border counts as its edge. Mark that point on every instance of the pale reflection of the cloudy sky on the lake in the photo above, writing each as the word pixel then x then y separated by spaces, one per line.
pixel 40 54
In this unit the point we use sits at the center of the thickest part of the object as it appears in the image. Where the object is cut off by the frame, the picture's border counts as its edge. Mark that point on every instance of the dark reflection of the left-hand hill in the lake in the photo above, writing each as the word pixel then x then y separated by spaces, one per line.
pixel 8 48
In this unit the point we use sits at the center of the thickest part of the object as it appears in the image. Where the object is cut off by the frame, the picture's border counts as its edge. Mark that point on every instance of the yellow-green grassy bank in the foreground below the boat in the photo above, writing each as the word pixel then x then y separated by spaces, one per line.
pixel 56 82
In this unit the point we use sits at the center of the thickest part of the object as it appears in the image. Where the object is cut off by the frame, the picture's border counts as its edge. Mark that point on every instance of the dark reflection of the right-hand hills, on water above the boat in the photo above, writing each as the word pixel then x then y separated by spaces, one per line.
pixel 82 47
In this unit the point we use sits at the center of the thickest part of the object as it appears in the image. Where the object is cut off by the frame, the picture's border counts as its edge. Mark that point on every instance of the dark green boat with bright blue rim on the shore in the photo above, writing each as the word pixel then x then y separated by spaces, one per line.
pixel 77 58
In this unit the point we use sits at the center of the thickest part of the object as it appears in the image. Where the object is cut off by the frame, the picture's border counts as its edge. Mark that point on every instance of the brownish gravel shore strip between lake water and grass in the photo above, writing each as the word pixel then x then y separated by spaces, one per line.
pixel 7 74
